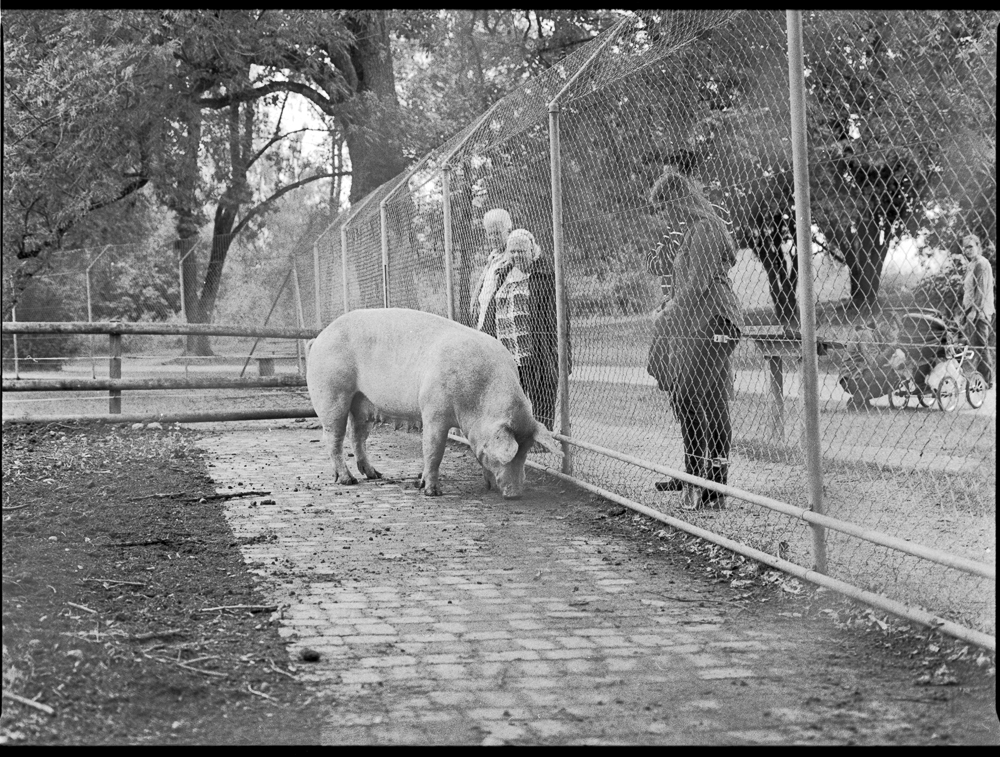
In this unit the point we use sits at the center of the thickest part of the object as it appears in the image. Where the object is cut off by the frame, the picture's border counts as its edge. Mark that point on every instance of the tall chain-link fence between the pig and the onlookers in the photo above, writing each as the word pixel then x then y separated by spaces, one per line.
pixel 901 136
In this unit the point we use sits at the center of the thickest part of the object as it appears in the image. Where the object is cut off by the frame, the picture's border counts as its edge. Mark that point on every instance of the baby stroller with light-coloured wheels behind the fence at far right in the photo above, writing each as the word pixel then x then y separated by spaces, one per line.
pixel 937 364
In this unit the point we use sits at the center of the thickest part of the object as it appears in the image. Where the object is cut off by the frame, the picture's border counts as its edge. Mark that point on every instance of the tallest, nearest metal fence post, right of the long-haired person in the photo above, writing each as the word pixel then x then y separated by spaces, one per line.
pixel 807 303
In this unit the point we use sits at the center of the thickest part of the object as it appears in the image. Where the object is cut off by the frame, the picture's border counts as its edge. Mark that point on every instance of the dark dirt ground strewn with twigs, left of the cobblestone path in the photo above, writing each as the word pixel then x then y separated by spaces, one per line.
pixel 107 593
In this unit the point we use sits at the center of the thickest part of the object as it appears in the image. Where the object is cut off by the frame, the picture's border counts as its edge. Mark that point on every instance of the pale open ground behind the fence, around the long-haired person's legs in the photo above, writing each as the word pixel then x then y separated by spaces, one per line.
pixel 922 475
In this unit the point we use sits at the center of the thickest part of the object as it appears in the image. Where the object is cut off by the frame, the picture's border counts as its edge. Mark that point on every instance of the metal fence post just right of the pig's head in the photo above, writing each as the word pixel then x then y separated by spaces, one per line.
pixel 562 315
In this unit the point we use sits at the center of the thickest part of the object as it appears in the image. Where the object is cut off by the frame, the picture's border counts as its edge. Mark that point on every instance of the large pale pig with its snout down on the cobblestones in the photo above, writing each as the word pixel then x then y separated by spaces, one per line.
pixel 416 367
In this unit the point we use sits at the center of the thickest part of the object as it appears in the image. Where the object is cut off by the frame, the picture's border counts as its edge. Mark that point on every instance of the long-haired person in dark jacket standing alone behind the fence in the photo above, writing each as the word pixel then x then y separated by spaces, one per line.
pixel 696 332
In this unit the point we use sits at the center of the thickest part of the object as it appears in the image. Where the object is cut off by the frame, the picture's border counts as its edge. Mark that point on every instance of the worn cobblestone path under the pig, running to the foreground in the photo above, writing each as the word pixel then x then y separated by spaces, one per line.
pixel 467 619
